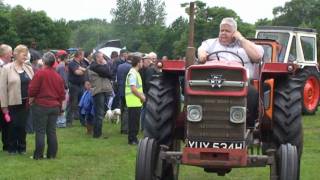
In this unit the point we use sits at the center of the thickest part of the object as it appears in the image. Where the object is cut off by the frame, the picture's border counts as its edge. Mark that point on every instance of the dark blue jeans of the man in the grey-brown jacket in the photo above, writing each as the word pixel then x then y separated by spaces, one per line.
pixel 99 101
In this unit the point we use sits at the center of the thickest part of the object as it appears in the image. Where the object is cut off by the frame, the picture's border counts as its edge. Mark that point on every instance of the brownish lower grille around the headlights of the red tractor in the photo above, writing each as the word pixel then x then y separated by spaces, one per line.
pixel 215 124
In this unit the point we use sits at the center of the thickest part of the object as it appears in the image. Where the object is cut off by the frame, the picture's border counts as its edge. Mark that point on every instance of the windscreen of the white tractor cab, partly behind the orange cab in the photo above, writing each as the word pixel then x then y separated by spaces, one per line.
pixel 280 37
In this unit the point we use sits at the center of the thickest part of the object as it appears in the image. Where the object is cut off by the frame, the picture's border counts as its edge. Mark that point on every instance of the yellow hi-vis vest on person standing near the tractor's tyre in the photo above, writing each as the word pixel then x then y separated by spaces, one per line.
pixel 131 99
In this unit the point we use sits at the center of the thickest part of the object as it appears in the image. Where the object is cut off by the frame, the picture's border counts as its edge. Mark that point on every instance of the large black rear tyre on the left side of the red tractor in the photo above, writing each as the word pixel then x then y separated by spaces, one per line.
pixel 161 109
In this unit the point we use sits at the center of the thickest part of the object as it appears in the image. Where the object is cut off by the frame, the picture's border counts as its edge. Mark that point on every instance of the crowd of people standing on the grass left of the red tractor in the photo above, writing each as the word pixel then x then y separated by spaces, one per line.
pixel 40 92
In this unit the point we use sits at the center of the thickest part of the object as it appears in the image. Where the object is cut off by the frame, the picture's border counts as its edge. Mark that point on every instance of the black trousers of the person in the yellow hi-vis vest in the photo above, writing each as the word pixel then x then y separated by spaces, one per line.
pixel 133 122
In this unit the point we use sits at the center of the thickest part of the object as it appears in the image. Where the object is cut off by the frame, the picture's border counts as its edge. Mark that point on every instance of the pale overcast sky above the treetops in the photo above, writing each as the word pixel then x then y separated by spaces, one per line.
pixel 248 10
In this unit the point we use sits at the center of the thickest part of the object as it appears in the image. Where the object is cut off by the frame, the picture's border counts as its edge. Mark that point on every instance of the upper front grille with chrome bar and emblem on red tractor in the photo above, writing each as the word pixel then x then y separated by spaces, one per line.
pixel 235 76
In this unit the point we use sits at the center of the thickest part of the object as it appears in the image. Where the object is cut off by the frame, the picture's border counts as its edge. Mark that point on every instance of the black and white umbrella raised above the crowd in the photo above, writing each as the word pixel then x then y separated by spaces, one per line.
pixel 106 48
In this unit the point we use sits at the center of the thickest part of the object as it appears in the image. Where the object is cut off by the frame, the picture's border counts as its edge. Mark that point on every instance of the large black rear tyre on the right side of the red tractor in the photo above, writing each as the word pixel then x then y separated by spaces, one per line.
pixel 287 121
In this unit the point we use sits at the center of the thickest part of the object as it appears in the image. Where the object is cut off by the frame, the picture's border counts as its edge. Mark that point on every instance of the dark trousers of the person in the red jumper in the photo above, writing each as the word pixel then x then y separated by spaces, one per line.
pixel 45 124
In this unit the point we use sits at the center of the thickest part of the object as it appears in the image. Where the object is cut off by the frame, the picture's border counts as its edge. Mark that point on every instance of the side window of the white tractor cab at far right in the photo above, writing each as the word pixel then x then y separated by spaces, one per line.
pixel 308 46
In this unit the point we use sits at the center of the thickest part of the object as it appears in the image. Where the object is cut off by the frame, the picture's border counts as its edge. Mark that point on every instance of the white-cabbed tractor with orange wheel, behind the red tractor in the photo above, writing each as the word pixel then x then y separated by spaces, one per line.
pixel 298 46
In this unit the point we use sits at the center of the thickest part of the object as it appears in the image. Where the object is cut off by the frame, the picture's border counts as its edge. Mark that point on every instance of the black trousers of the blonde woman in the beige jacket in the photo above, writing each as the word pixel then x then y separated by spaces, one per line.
pixel 17 128
